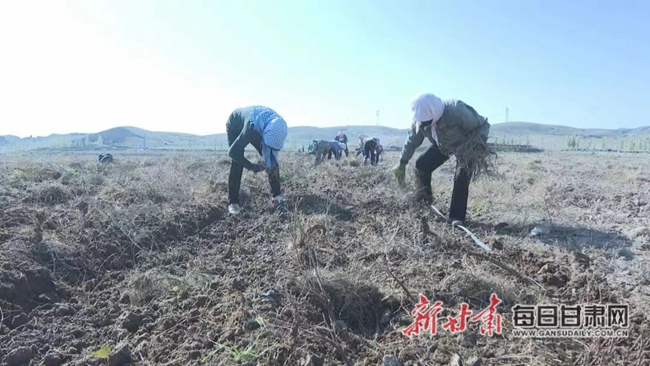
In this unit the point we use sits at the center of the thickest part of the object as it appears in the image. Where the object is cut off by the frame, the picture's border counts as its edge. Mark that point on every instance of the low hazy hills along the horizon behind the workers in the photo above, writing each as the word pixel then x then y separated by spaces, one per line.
pixel 128 137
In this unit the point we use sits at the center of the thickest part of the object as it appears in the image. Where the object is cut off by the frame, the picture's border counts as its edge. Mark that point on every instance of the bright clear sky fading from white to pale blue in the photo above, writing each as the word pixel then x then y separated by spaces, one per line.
pixel 183 66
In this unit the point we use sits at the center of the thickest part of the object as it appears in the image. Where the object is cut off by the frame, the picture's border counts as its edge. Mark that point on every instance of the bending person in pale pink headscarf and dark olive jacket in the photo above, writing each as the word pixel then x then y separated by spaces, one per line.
pixel 454 128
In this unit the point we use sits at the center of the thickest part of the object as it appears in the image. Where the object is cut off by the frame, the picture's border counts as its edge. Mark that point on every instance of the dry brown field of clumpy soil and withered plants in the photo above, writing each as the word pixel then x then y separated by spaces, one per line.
pixel 137 262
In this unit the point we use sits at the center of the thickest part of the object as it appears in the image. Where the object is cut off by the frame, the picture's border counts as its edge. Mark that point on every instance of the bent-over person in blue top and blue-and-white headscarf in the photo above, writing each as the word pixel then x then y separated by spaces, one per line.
pixel 266 131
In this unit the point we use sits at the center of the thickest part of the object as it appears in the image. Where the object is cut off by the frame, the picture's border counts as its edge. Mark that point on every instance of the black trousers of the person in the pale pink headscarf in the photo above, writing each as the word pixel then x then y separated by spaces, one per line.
pixel 426 164
